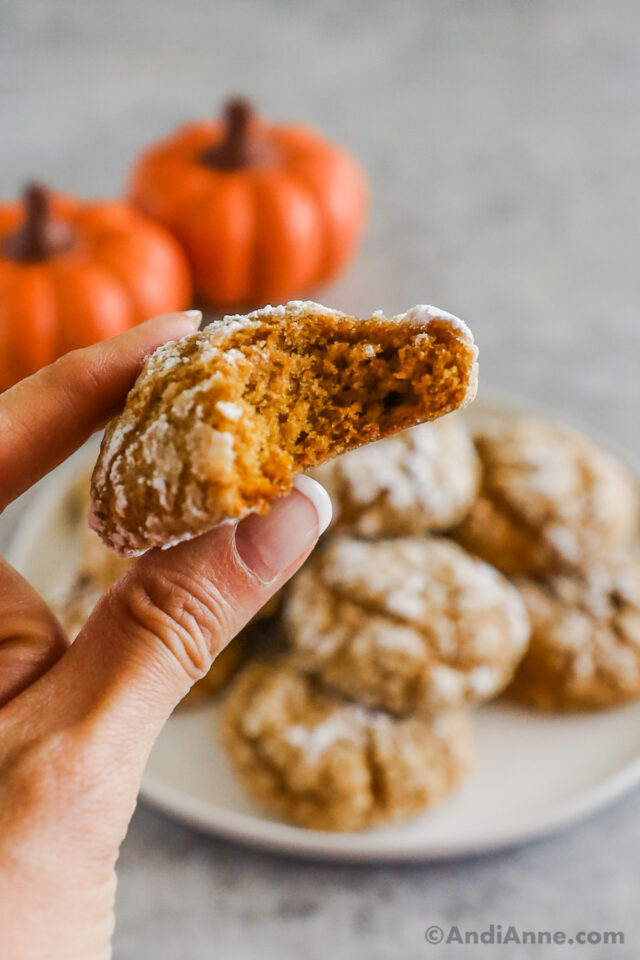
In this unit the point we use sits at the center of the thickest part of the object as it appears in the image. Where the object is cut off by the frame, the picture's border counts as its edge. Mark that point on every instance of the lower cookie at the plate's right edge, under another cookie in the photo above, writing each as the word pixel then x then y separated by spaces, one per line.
pixel 585 639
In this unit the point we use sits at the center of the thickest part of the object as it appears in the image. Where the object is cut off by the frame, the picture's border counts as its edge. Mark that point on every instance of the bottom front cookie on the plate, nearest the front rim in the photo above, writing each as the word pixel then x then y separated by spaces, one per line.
pixel 325 763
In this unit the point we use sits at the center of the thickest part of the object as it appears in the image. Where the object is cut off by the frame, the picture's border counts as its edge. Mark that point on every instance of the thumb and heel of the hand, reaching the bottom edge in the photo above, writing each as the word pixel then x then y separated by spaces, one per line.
pixel 75 742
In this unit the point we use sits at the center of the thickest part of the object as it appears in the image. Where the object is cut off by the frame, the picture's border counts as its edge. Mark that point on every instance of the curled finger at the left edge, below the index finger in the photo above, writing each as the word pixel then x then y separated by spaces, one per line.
pixel 31 639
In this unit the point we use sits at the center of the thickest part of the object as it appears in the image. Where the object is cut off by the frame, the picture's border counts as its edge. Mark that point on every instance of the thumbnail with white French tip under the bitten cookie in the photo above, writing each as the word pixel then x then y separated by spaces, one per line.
pixel 268 545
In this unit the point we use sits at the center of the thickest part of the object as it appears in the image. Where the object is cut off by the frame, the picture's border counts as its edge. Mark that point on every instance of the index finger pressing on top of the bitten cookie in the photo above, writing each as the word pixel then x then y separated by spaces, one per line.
pixel 47 416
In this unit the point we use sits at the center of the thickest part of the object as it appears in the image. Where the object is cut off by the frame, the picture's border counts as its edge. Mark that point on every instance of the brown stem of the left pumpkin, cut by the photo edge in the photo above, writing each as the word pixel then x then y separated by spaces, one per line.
pixel 40 236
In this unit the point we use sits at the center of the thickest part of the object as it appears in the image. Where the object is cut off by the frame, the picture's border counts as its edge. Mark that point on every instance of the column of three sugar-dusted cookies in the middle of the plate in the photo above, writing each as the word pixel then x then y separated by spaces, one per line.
pixel 394 633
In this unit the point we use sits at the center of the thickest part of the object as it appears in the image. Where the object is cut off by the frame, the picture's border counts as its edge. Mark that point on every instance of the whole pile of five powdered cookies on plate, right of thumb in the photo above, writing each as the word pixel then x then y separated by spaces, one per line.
pixel 456 568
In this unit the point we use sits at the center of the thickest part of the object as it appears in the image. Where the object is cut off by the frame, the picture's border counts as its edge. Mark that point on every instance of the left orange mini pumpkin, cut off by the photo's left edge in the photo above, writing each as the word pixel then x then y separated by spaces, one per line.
pixel 72 273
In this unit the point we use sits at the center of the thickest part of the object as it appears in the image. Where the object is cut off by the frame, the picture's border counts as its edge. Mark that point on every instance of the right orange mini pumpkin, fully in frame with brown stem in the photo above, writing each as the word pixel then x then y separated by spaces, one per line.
pixel 264 212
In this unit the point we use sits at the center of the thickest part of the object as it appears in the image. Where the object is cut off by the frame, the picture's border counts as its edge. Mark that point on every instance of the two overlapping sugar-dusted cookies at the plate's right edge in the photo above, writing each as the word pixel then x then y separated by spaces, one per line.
pixel 559 515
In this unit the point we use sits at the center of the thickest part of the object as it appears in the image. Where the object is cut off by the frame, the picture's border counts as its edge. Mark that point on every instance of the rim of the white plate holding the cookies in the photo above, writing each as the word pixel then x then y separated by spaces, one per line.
pixel 259 832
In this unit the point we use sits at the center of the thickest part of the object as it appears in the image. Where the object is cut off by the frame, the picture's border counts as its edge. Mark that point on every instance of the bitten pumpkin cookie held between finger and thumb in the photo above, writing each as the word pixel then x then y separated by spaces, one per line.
pixel 219 423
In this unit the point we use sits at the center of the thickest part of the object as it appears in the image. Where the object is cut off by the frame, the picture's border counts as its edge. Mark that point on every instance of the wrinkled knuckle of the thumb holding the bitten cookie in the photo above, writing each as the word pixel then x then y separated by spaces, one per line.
pixel 188 616
